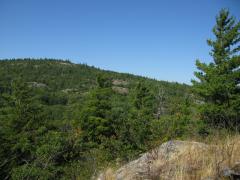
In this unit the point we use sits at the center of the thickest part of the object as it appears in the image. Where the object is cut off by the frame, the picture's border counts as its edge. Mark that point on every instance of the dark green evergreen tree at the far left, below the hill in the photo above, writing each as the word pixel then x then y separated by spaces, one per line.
pixel 19 131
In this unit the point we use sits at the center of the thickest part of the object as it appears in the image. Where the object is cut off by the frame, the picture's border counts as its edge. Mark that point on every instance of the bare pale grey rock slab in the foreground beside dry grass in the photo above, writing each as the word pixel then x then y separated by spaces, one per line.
pixel 144 167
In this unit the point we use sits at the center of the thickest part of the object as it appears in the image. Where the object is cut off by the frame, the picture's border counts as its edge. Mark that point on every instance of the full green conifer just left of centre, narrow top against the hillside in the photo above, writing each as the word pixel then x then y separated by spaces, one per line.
pixel 96 121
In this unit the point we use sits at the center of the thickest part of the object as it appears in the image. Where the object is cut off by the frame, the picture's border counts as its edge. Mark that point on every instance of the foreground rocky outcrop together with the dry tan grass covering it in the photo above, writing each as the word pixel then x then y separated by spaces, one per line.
pixel 175 160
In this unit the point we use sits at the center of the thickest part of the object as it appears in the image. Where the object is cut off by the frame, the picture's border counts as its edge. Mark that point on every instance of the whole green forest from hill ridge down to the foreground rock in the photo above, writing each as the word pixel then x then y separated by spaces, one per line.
pixel 64 120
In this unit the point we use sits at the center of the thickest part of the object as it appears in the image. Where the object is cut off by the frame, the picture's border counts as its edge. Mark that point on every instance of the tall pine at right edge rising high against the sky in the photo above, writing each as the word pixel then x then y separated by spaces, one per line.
pixel 218 83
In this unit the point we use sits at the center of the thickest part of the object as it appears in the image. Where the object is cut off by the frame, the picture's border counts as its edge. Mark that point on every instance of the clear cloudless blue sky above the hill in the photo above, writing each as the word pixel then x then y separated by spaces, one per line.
pixel 160 39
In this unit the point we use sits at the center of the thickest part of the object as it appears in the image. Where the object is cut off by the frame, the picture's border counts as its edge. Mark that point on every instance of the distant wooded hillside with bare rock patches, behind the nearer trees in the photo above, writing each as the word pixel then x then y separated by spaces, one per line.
pixel 63 85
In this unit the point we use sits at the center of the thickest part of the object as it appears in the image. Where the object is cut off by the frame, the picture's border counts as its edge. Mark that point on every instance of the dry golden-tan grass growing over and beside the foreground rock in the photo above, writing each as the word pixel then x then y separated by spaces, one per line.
pixel 193 162
